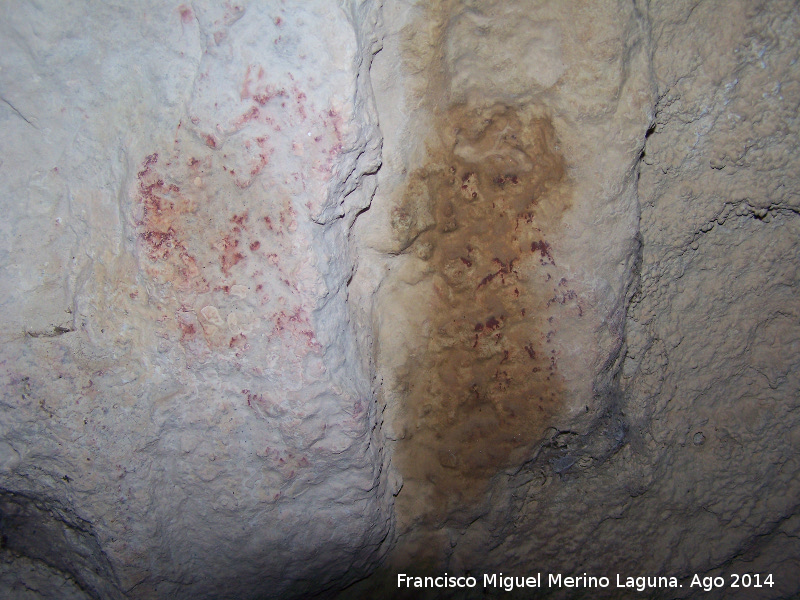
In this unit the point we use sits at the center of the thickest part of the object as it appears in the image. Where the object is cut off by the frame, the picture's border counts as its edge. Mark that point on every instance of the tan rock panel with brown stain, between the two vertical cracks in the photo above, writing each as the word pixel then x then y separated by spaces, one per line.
pixel 499 308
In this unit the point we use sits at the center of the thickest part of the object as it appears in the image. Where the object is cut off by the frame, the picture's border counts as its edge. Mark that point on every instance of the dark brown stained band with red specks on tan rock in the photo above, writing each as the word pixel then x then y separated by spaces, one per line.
pixel 484 385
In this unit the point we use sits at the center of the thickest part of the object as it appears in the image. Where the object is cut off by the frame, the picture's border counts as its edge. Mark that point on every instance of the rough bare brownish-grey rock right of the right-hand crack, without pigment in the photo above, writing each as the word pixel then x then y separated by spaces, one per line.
pixel 712 372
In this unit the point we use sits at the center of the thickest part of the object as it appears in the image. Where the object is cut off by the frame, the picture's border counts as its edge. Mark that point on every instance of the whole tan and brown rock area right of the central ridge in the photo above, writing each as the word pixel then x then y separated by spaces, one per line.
pixel 672 312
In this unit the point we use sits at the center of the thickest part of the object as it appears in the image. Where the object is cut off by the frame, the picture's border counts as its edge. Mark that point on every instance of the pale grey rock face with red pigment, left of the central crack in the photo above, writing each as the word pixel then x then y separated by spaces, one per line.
pixel 183 408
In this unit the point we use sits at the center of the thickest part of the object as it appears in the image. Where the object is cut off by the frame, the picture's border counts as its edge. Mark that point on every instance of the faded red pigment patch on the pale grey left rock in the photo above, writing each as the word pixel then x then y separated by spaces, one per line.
pixel 191 245
